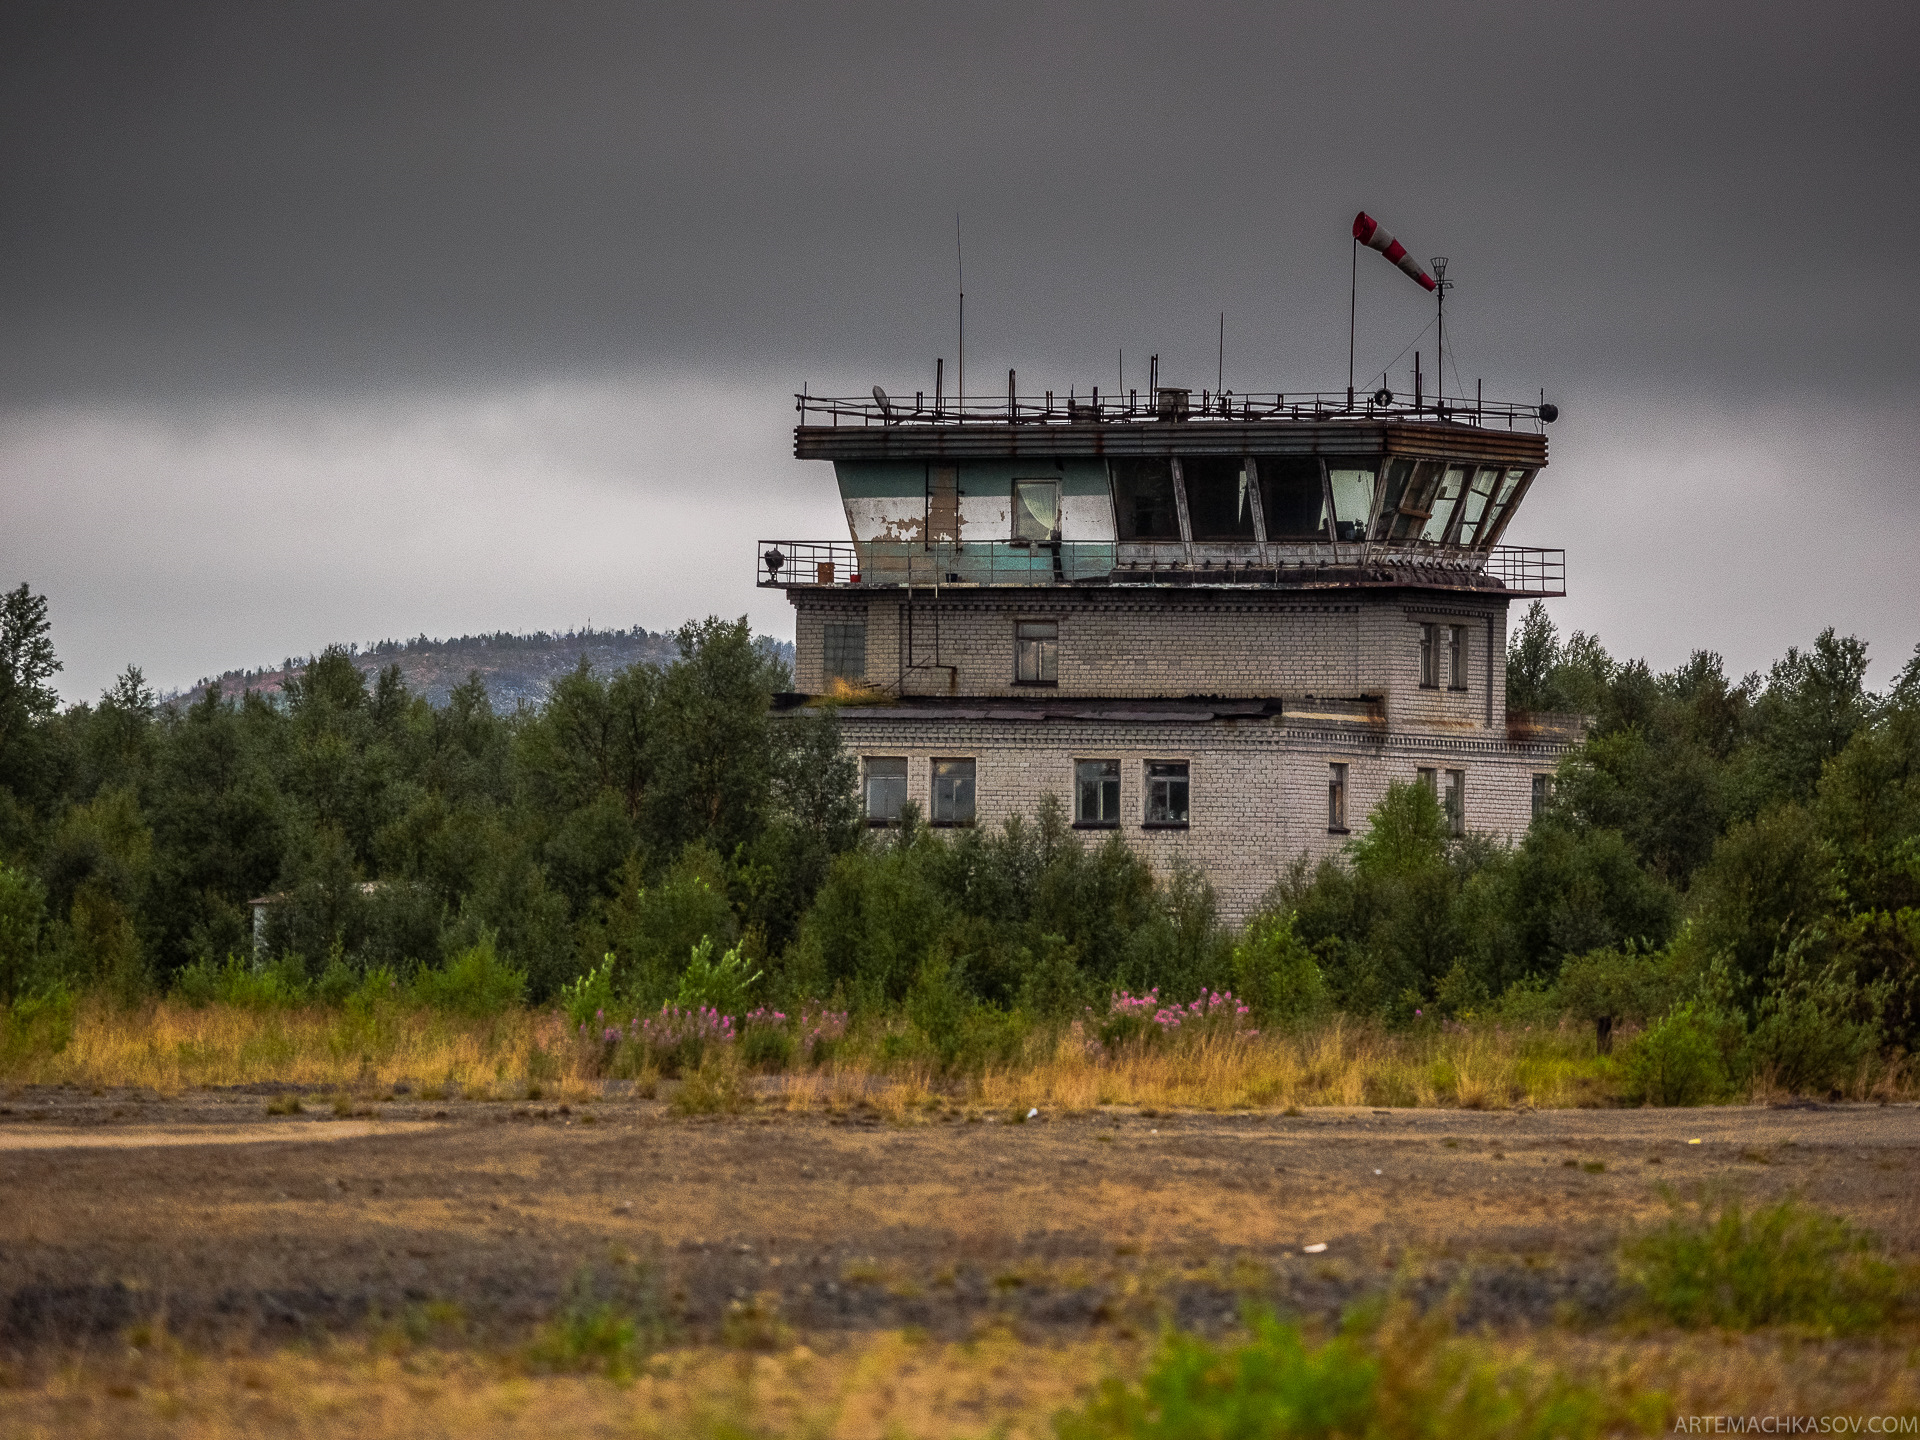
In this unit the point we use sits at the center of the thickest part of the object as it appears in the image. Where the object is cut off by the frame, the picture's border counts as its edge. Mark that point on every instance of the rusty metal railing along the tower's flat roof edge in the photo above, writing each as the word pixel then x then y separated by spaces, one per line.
pixel 1168 404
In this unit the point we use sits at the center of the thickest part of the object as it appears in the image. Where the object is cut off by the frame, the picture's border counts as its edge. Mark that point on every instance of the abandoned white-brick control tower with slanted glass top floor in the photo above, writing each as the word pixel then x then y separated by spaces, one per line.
pixel 1220 627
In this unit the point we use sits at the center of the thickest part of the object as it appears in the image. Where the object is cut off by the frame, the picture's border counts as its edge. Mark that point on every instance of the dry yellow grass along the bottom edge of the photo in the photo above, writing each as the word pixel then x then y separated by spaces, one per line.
pixel 871 1389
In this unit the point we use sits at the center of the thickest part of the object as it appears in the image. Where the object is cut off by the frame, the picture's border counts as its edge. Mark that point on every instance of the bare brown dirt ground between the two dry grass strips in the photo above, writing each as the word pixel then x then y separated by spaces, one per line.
pixel 233 1226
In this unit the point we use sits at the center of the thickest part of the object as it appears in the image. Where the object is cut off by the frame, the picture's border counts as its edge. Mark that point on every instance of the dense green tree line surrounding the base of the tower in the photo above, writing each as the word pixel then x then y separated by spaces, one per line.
pixel 1746 848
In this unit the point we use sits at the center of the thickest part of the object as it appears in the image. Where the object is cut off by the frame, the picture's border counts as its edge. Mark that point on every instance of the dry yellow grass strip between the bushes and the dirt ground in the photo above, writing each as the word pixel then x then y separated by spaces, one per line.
pixel 170 1047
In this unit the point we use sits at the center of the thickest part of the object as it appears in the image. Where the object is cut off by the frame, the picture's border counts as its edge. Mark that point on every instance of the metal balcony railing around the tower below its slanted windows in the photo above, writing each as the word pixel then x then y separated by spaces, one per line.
pixel 1506 569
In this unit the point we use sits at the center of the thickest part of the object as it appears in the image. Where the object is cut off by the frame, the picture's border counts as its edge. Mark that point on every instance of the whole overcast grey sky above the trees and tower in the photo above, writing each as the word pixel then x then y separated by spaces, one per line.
pixel 364 320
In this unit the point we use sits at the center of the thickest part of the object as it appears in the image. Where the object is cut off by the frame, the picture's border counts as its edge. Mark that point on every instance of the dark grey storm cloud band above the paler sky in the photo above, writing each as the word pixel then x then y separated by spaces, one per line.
pixel 335 199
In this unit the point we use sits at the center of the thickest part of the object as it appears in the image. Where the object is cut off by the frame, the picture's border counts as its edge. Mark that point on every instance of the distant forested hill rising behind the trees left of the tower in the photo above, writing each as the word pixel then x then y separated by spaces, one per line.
pixel 516 669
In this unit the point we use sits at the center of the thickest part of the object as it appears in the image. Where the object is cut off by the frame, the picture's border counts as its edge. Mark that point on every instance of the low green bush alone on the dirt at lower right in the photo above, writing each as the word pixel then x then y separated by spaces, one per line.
pixel 1779 1266
